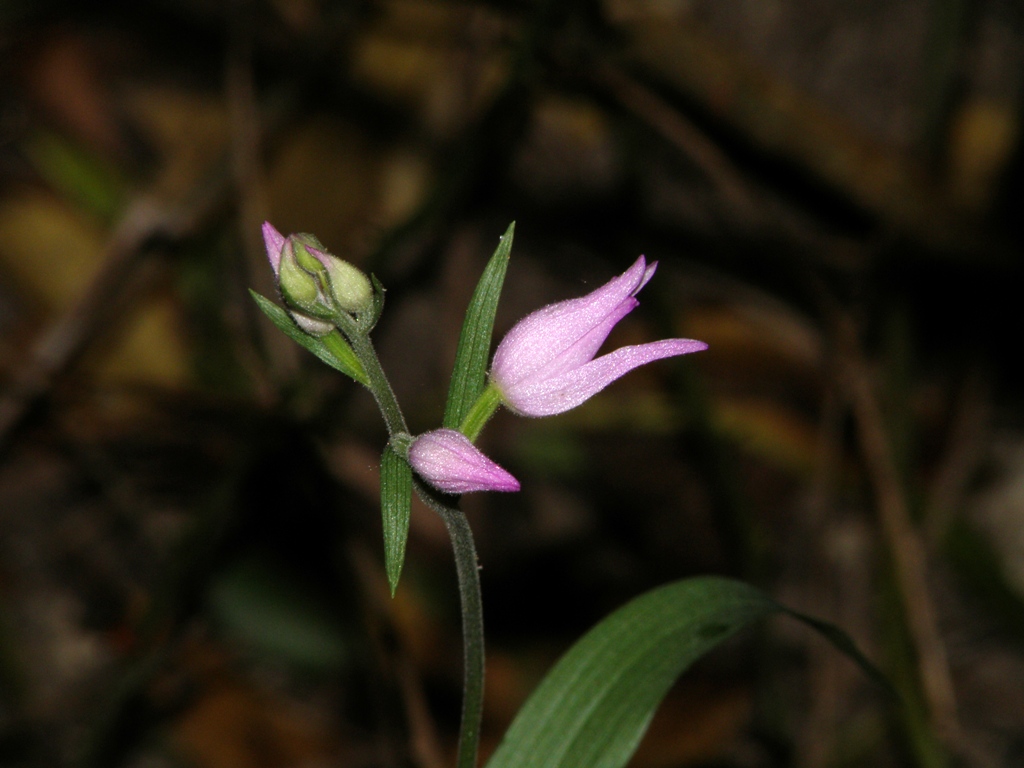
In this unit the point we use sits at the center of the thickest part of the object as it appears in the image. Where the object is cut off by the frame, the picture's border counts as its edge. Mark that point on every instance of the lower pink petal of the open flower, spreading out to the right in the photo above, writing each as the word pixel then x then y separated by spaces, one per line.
pixel 562 394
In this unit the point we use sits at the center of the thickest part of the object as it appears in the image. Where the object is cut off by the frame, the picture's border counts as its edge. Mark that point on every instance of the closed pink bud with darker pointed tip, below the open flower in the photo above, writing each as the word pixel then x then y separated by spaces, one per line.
pixel 451 463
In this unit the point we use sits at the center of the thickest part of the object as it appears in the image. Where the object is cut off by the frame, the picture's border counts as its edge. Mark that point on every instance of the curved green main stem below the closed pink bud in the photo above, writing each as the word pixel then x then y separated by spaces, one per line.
pixel 468 573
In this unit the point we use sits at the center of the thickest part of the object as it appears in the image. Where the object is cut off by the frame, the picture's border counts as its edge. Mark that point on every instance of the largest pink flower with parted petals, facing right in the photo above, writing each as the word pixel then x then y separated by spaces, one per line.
pixel 546 365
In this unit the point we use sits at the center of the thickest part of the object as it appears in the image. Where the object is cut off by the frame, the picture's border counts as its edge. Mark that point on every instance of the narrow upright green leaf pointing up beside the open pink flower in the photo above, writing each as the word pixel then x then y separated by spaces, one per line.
pixel 475 344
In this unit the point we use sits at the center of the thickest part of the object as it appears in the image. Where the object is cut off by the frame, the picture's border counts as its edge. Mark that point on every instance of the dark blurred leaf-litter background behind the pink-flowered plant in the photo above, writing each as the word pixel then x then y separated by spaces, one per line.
pixel 191 561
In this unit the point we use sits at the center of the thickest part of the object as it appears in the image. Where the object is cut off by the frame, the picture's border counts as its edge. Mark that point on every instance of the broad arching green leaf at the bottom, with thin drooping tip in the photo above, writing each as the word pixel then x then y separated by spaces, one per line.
pixel 593 708
